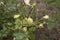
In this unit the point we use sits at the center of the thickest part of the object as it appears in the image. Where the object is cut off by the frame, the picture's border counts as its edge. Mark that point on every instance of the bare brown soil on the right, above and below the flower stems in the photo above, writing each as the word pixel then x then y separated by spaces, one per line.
pixel 45 33
